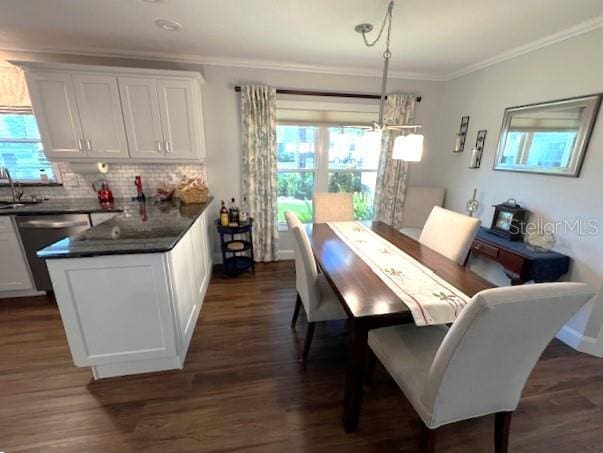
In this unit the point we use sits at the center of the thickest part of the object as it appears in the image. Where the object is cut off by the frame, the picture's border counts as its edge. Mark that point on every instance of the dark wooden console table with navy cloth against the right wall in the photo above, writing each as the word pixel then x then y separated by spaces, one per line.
pixel 519 262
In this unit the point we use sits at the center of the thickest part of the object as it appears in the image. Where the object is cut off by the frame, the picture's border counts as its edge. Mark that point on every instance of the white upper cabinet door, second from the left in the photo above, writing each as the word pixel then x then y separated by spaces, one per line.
pixel 100 112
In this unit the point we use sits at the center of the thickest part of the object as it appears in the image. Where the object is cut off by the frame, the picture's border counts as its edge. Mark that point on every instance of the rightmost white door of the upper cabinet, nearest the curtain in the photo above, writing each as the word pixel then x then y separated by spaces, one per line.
pixel 178 118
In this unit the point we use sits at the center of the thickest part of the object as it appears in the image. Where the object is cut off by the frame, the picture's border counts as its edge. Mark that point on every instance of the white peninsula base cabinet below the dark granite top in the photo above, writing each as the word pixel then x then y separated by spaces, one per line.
pixel 133 313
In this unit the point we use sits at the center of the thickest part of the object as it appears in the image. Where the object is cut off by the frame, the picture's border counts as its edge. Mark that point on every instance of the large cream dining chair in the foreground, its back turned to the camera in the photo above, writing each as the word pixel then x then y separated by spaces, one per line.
pixel 480 365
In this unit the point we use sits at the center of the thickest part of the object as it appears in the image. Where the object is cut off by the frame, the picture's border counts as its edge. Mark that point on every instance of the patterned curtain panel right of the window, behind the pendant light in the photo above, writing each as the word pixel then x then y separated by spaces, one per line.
pixel 391 176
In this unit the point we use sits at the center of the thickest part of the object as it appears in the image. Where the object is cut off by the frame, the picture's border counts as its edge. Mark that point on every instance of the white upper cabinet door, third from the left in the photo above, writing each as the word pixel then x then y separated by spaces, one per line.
pixel 140 105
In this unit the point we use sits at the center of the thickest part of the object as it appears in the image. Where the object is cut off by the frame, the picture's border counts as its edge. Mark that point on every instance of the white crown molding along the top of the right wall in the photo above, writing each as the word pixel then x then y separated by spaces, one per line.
pixel 576 30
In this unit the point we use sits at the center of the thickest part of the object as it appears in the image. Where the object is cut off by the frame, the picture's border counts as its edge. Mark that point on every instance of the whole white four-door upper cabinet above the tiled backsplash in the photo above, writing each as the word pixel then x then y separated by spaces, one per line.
pixel 114 114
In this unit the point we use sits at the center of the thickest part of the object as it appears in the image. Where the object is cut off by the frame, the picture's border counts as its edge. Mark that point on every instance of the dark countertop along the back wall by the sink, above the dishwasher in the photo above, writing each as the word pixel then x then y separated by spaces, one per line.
pixel 67 206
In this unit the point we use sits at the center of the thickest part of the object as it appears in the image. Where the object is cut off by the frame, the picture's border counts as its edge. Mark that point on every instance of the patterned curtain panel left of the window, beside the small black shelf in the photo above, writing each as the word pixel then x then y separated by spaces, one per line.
pixel 260 181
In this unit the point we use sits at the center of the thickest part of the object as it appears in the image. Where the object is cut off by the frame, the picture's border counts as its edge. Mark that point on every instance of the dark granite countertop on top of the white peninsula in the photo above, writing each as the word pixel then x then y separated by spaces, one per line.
pixel 141 228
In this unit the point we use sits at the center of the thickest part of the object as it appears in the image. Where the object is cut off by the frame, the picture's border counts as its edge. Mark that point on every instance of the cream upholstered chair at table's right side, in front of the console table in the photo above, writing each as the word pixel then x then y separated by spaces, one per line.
pixel 449 233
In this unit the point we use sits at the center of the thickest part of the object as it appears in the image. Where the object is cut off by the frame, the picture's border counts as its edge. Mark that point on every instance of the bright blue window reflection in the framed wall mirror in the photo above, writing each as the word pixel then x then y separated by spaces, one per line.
pixel 539 148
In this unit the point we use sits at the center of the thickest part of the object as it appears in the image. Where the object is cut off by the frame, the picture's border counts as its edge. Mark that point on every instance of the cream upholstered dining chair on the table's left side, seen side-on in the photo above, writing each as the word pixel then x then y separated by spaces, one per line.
pixel 314 292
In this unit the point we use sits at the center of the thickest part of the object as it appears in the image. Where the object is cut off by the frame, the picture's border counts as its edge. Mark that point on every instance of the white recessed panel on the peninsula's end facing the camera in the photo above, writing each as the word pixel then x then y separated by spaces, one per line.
pixel 115 308
